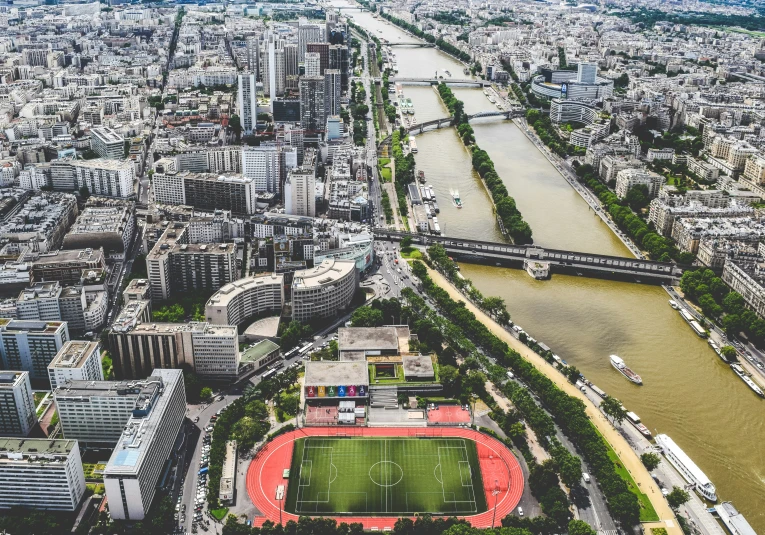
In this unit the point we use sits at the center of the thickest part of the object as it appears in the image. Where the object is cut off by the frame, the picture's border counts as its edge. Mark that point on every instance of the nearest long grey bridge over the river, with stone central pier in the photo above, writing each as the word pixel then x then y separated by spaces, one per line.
pixel 570 262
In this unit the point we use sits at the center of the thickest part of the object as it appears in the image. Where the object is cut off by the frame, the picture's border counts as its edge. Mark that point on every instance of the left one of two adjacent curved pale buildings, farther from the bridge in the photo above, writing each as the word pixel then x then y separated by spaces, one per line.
pixel 245 298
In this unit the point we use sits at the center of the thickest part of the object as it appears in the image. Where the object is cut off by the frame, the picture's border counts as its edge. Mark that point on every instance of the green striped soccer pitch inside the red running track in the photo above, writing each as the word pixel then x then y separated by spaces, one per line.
pixel 385 476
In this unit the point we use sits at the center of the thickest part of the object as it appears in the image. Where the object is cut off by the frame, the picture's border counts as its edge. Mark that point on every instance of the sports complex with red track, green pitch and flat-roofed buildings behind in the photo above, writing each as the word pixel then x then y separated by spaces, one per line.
pixel 357 456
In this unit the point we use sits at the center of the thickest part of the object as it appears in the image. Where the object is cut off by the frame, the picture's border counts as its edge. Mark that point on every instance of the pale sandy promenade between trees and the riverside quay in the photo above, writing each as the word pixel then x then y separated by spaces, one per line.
pixel 626 455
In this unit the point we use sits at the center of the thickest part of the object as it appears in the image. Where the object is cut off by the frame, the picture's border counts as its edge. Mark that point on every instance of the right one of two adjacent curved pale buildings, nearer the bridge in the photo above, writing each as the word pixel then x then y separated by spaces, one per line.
pixel 324 290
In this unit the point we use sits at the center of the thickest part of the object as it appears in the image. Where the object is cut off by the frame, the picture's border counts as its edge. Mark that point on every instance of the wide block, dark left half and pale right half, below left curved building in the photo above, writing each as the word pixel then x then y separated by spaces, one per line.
pixel 137 348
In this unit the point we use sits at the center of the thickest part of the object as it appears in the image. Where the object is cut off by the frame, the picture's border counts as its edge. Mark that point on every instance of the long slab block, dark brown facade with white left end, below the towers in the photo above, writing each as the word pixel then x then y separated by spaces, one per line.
pixel 206 191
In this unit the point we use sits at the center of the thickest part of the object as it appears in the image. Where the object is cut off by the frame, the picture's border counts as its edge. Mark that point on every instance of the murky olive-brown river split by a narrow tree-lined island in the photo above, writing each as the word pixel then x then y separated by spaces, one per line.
pixel 688 393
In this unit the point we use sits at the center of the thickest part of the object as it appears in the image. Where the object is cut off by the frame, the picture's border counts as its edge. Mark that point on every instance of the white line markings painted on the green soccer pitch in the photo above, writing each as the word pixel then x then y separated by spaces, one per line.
pixel 448 497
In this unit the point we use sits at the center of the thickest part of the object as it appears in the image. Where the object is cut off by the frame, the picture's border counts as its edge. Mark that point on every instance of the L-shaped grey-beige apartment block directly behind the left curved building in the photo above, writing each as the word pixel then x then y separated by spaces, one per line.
pixel 174 265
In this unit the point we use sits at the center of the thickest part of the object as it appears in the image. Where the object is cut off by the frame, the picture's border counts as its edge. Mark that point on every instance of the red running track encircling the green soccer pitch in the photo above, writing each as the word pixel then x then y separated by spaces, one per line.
pixel 499 468
